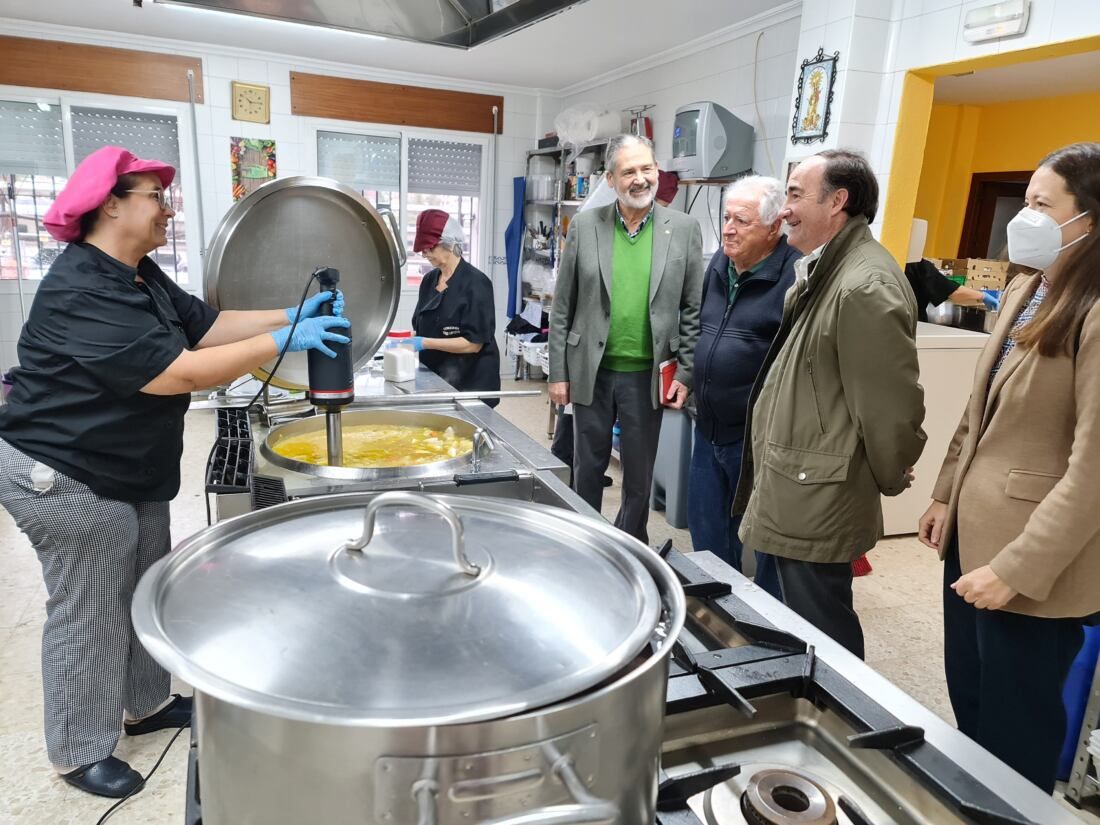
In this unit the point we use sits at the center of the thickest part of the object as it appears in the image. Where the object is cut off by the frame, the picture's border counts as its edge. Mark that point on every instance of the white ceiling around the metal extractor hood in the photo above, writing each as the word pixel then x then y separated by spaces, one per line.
pixel 586 41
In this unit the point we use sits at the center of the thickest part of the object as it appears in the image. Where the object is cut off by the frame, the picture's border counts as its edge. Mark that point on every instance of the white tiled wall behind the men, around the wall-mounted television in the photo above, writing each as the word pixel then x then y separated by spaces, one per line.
pixel 720 71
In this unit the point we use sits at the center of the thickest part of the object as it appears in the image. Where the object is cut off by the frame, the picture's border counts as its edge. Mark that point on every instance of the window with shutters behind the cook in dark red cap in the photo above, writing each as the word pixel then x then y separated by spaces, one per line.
pixel 442 175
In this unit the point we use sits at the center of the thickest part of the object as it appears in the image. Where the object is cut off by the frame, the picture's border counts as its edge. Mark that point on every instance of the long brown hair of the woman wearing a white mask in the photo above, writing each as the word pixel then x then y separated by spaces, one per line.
pixel 1054 329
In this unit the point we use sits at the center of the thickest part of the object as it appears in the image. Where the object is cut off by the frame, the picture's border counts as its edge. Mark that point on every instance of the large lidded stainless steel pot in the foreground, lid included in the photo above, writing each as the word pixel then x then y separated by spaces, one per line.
pixel 483 662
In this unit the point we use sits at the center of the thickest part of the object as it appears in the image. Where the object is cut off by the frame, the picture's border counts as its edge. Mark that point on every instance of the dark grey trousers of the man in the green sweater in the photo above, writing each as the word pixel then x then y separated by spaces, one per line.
pixel 625 397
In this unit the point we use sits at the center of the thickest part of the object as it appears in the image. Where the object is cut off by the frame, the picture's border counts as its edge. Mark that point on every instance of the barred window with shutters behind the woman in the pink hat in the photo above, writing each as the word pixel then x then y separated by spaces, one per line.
pixel 34 171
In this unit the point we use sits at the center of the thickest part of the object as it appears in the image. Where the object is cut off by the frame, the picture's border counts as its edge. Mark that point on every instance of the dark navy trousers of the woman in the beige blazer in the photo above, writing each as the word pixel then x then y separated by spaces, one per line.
pixel 1005 677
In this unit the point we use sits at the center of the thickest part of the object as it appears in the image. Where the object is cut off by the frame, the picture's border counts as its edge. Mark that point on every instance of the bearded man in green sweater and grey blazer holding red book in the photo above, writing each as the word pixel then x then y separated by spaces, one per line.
pixel 626 300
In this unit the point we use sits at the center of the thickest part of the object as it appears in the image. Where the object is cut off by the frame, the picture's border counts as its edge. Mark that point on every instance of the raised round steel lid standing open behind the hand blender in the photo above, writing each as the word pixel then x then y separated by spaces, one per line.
pixel 269 245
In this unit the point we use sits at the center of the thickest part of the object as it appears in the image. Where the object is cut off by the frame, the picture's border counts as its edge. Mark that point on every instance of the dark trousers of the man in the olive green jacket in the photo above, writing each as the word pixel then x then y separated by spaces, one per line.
pixel 821 593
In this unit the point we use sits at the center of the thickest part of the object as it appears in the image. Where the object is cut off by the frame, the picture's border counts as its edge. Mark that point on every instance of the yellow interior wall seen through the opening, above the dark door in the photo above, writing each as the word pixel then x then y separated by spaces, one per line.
pixel 1011 137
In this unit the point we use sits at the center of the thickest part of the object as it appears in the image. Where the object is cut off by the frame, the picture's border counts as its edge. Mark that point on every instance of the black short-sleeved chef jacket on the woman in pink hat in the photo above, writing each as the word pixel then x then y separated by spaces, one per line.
pixel 93 340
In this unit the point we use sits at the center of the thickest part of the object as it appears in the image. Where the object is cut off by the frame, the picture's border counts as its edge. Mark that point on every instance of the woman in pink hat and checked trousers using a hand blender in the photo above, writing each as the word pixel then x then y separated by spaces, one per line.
pixel 91 444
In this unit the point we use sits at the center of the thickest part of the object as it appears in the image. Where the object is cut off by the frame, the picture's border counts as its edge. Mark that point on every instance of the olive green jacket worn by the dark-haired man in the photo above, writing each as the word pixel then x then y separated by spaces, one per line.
pixel 837 410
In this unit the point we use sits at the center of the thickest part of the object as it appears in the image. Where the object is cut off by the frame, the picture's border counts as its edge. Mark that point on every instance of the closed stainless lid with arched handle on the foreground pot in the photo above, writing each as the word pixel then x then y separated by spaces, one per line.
pixel 443 610
